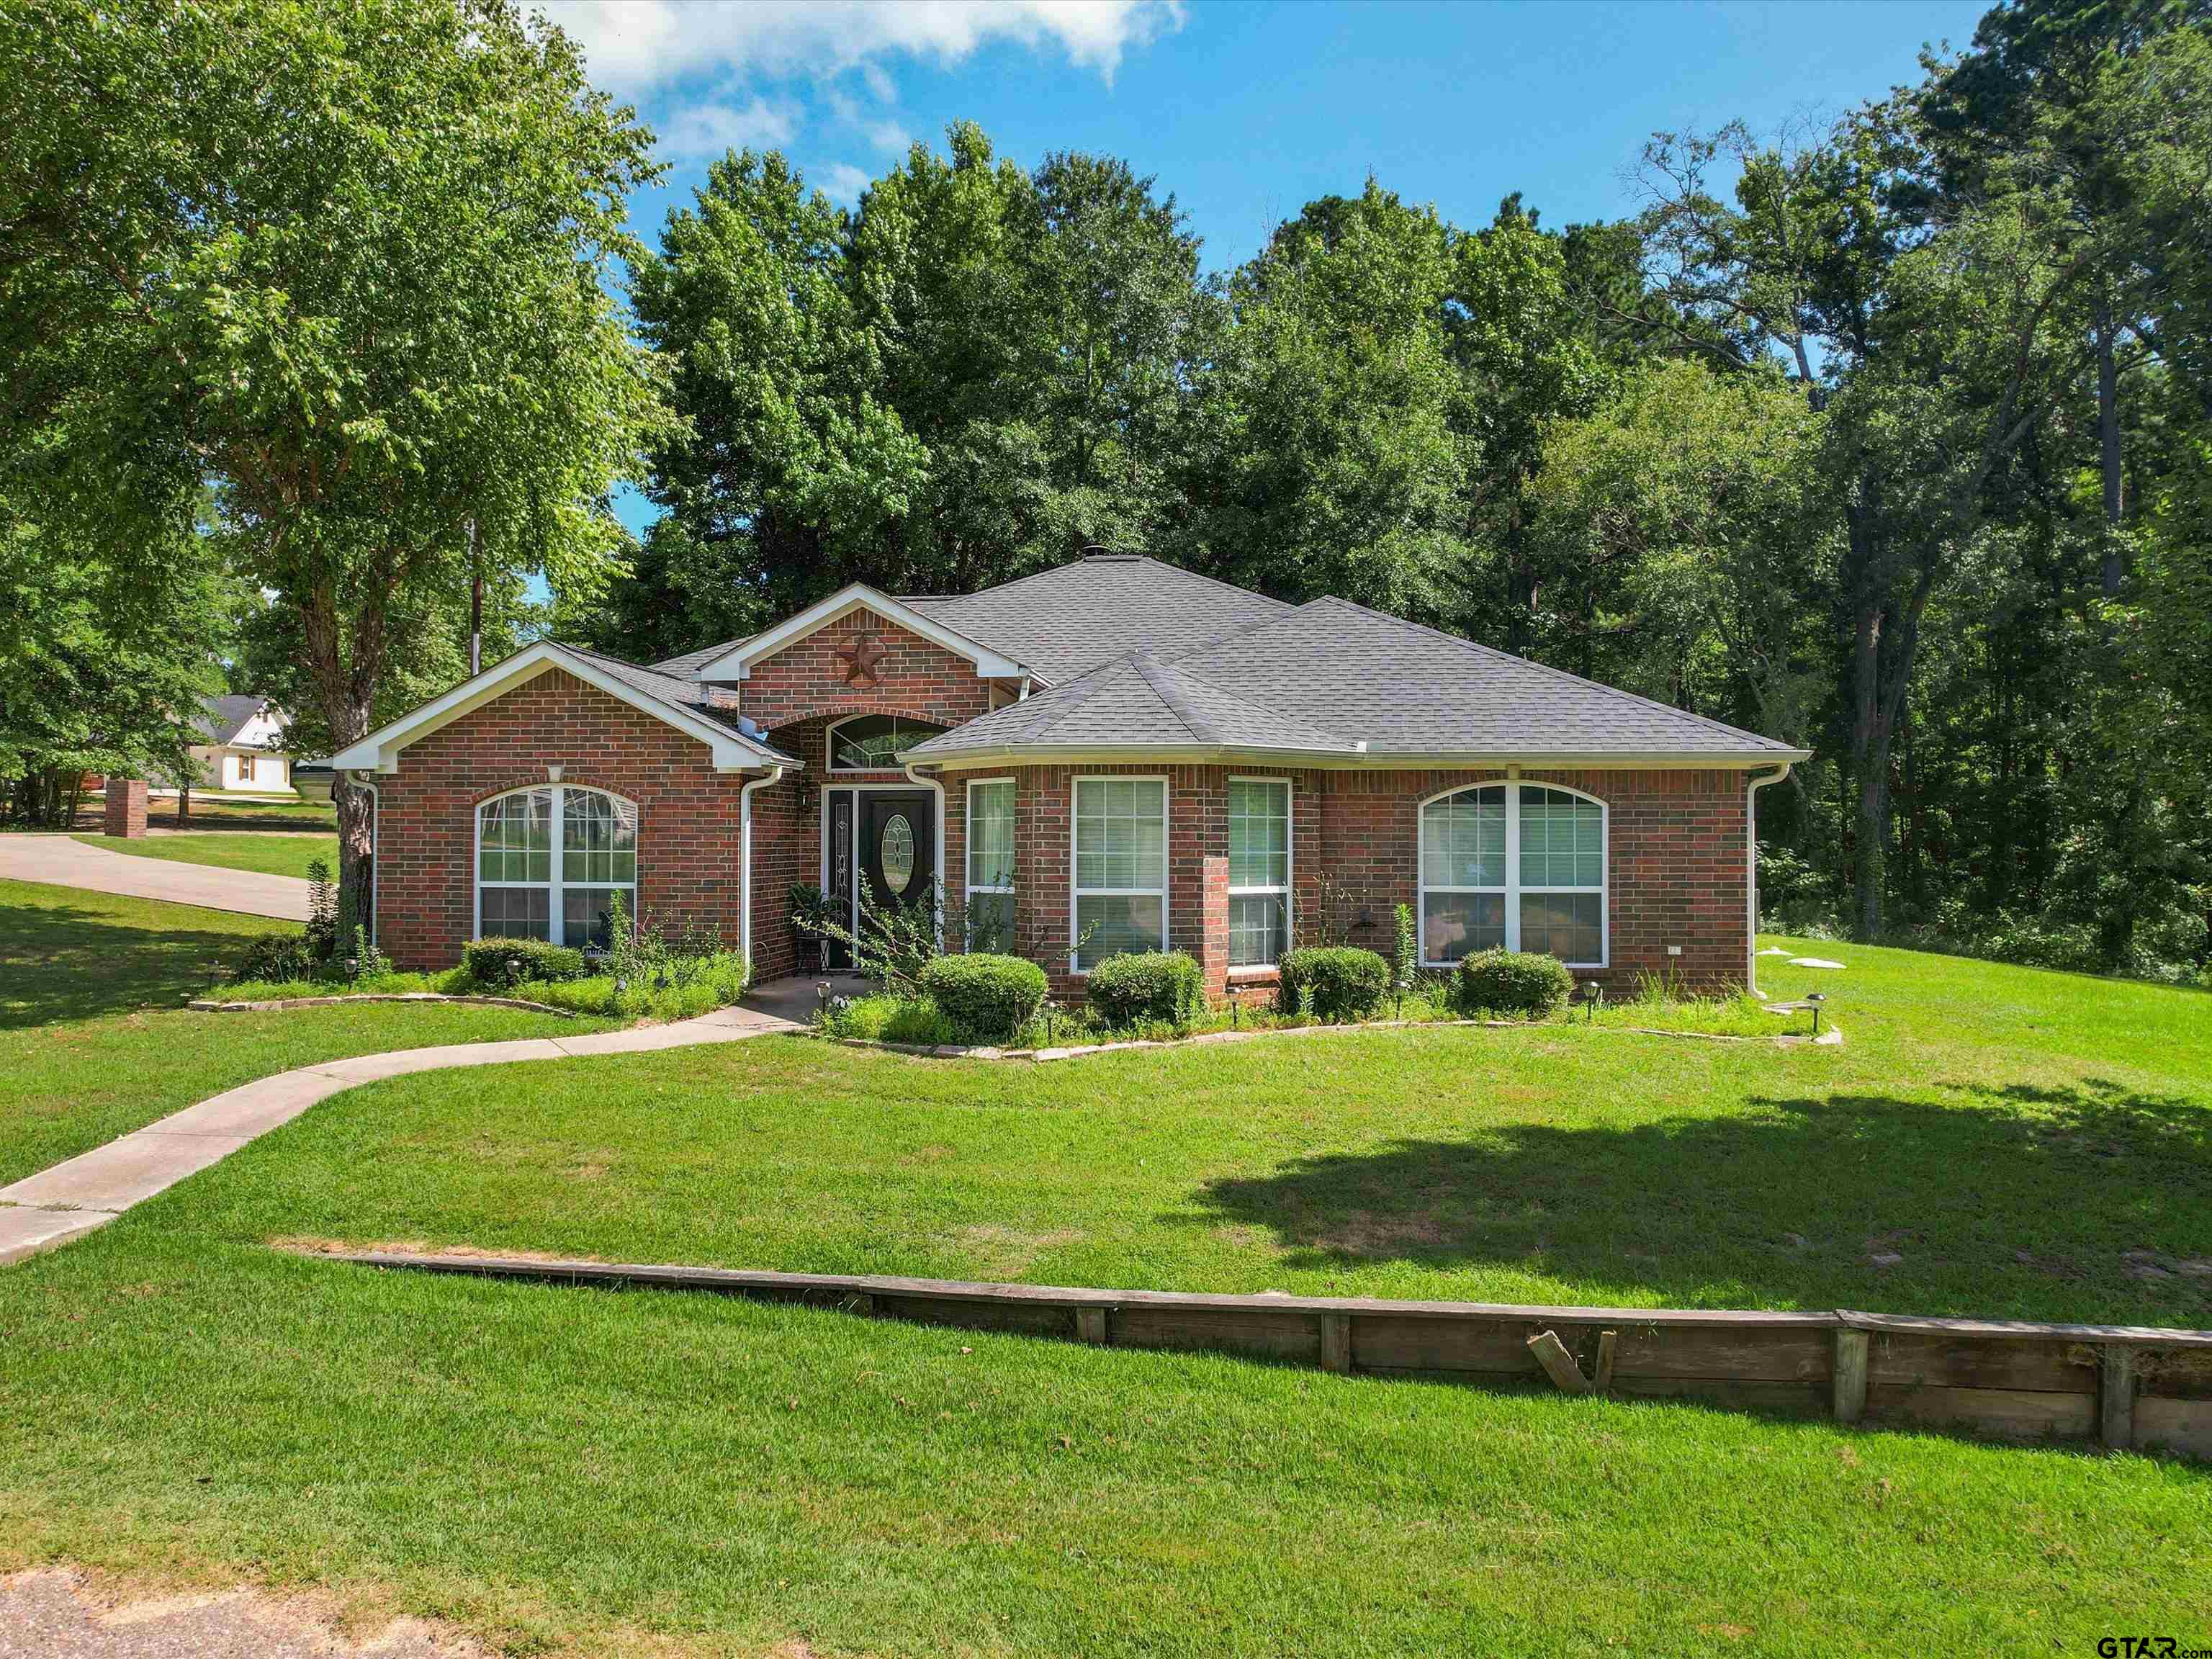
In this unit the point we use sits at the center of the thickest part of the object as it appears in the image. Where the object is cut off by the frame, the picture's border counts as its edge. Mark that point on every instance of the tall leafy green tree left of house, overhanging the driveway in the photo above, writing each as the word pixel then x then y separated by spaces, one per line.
pixel 353 267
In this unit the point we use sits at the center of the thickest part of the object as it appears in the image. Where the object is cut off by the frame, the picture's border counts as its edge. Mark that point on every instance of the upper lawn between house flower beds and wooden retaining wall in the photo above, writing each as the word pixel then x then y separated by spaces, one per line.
pixel 2014 1140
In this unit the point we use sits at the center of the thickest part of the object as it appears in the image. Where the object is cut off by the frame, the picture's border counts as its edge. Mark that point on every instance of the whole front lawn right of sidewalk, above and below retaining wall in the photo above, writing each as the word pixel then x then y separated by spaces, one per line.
pixel 616 1472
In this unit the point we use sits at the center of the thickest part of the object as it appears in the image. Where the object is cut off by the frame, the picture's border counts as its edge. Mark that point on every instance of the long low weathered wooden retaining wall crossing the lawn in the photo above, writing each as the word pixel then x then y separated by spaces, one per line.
pixel 2118 1386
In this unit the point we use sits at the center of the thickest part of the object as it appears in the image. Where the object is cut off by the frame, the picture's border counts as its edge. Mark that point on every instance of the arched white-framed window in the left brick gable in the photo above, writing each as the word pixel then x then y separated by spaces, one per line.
pixel 550 862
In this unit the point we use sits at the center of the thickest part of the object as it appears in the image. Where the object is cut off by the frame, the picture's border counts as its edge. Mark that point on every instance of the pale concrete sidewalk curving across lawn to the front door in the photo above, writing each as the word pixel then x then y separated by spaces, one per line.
pixel 92 1189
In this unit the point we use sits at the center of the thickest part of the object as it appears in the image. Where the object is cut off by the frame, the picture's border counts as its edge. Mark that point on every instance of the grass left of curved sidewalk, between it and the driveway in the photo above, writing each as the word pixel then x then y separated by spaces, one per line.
pixel 96 1043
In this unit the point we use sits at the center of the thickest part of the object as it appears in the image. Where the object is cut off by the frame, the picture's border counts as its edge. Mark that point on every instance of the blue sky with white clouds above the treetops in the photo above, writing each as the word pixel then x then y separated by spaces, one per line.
pixel 1249 112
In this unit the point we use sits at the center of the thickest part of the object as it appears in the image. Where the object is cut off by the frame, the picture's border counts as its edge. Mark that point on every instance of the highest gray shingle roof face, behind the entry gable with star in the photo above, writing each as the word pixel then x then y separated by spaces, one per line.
pixel 1070 620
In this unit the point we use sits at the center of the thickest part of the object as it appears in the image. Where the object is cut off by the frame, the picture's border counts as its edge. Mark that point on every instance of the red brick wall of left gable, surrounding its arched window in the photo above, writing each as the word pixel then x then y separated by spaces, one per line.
pixel 426 815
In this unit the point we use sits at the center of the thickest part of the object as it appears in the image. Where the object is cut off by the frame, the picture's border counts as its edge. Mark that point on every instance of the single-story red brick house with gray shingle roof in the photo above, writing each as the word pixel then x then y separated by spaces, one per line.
pixel 1112 753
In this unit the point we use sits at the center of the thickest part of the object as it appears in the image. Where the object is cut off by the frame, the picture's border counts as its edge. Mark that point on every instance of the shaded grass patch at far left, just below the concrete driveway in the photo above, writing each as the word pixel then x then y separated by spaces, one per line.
pixel 72 963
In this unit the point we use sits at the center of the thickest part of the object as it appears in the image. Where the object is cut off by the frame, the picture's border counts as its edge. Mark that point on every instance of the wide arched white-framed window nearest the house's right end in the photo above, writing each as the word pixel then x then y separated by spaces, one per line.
pixel 1519 866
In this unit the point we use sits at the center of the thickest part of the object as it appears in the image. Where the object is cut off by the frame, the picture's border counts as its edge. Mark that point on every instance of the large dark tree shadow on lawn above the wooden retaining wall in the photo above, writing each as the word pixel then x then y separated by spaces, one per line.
pixel 2069 1204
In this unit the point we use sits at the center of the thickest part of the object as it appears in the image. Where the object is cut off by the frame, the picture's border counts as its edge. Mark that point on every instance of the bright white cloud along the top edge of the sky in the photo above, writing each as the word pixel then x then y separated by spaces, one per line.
pixel 634 45
